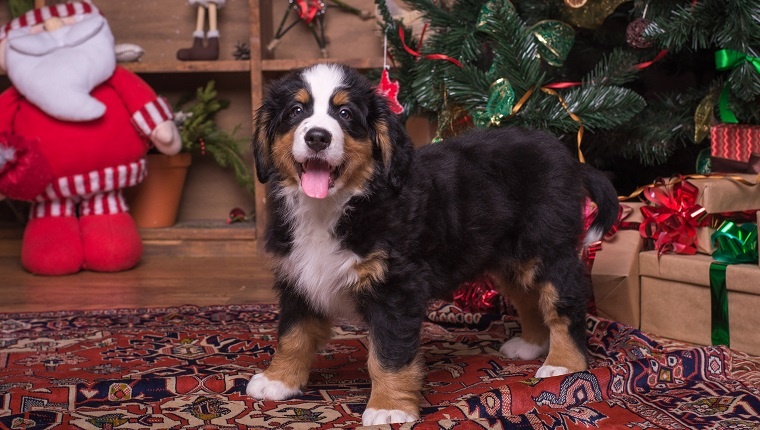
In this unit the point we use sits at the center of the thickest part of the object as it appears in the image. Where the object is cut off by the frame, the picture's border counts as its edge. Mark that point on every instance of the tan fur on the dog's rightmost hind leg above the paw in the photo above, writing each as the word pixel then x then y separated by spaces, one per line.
pixel 563 351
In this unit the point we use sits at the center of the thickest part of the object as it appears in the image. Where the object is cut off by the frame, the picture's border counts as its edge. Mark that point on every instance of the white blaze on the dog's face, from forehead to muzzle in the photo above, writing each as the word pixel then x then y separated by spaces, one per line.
pixel 322 81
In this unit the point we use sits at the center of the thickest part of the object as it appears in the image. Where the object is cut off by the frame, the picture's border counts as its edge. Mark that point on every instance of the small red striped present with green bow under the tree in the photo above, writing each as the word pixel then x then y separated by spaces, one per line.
pixel 734 141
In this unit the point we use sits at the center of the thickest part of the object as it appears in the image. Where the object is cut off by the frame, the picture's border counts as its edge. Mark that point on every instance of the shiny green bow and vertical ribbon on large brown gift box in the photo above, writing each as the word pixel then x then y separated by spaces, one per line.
pixel 734 244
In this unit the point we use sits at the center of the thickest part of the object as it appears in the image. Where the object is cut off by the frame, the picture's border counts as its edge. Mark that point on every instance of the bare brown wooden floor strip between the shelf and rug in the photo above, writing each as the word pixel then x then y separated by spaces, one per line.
pixel 158 281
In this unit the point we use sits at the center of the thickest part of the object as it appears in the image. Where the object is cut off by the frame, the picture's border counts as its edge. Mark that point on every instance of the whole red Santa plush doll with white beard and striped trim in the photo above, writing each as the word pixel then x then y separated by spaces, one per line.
pixel 74 131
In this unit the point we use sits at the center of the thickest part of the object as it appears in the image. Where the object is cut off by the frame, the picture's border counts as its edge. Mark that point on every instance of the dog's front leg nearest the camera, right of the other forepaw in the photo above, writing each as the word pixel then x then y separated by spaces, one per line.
pixel 396 370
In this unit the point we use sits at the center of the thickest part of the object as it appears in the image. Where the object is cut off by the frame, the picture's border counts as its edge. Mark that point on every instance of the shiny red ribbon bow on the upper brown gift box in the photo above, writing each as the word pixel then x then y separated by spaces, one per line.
pixel 673 216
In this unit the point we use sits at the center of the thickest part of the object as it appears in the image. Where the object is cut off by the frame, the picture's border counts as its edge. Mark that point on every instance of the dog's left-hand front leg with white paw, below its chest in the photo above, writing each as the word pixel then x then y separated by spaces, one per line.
pixel 301 334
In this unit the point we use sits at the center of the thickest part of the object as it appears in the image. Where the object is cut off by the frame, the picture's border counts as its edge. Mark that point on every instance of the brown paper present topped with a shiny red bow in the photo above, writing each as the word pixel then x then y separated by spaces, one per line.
pixel 680 213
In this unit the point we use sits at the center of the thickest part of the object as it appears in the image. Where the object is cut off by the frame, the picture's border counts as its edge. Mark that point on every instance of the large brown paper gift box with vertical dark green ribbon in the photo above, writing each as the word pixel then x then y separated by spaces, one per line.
pixel 675 299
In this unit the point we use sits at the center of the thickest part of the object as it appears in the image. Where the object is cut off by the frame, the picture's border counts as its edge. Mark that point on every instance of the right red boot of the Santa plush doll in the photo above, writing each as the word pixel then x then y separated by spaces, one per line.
pixel 111 242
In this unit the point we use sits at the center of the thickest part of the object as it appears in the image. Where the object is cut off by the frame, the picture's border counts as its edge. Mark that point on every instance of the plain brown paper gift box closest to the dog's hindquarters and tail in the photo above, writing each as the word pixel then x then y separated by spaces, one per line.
pixel 615 274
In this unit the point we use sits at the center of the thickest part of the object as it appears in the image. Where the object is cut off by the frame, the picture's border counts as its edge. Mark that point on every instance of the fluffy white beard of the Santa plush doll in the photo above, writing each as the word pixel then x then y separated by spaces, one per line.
pixel 57 75
